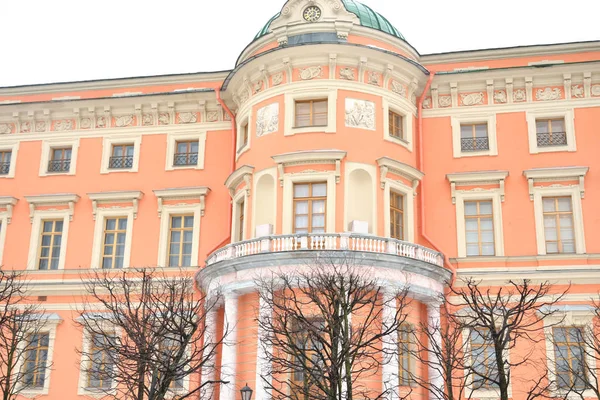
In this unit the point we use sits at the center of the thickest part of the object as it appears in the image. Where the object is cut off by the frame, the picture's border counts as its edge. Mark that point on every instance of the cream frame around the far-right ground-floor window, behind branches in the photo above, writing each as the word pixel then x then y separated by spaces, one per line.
pixel 568 316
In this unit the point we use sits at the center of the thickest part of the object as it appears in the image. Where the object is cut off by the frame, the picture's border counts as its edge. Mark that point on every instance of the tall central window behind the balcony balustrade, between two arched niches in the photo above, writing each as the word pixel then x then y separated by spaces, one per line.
pixel 309 207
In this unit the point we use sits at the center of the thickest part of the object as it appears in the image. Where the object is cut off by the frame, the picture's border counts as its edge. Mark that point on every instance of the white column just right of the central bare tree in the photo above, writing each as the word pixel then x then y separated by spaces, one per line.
pixel 389 373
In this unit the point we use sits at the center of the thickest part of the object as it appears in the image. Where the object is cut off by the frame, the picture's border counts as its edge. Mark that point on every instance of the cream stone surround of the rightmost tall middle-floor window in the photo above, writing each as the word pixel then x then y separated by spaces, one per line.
pixel 539 192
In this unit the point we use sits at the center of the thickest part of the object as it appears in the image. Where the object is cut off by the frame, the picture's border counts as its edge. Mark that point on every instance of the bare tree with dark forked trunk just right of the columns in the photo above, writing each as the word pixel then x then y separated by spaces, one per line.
pixel 495 320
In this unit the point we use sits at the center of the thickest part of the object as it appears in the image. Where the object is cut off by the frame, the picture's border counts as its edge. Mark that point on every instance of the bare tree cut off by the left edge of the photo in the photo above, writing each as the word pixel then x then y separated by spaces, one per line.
pixel 21 324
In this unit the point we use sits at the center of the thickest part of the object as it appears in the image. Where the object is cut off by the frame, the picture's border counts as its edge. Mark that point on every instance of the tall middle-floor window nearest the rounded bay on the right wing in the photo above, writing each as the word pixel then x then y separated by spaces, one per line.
pixel 479 228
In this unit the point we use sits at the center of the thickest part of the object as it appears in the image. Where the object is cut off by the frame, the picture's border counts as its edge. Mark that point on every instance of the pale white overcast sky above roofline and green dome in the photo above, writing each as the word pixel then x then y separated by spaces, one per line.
pixel 45 41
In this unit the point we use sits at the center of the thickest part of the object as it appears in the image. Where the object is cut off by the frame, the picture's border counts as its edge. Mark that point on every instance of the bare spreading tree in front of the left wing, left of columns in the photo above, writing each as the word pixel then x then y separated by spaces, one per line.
pixel 145 335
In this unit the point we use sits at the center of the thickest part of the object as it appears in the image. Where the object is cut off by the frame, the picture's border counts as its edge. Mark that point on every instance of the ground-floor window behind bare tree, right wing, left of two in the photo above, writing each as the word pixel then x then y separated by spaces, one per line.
pixel 483 358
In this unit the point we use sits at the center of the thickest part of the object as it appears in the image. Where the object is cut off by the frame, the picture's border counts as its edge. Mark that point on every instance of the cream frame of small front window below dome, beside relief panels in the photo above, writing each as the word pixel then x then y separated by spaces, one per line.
pixel 290 100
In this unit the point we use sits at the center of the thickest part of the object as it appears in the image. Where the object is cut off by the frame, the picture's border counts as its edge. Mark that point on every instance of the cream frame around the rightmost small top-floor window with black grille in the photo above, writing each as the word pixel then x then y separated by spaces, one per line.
pixel 569 118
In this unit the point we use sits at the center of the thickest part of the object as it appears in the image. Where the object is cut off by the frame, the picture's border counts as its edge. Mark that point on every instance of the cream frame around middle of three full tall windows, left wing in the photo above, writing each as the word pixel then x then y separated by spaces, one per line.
pixel 102 214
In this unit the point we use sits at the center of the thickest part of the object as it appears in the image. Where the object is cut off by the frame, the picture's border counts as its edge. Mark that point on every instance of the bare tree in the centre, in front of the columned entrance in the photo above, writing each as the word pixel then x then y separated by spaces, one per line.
pixel 325 328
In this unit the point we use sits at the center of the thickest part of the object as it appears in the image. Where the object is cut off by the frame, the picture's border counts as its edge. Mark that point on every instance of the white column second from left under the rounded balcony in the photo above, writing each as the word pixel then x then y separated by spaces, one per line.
pixel 228 361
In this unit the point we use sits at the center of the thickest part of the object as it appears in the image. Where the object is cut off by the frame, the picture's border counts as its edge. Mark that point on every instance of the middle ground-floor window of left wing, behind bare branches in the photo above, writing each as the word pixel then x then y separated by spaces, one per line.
pixel 101 363
